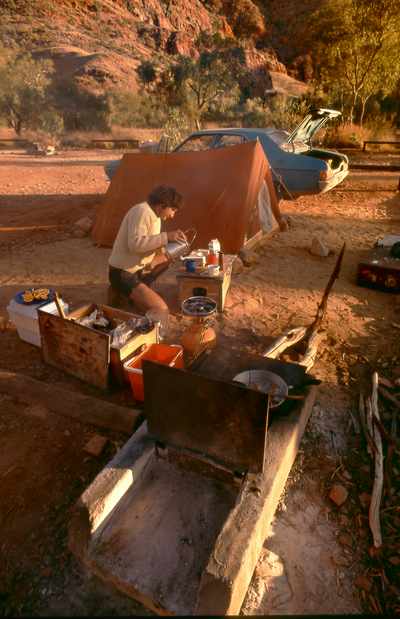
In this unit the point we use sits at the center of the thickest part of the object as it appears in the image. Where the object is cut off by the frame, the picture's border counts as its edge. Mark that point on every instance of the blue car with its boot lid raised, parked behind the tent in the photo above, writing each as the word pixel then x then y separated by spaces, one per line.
pixel 297 167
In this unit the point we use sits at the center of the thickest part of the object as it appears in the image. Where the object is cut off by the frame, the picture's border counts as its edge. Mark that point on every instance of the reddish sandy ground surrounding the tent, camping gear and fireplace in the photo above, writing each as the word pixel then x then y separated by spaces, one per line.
pixel 305 566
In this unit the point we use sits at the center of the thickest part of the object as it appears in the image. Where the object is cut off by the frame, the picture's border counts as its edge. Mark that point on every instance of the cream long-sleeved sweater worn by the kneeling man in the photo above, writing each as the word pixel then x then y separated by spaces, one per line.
pixel 138 239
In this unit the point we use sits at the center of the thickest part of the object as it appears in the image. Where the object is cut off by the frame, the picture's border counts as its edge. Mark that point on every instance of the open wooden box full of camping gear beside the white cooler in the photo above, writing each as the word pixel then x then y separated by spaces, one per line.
pixel 85 352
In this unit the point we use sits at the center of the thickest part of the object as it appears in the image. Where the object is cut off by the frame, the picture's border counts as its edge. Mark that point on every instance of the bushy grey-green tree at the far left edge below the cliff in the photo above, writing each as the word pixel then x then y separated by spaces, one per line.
pixel 25 99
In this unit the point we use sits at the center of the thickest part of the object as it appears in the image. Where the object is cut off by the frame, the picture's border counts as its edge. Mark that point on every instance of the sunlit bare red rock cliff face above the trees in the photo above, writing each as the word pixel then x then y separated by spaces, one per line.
pixel 99 43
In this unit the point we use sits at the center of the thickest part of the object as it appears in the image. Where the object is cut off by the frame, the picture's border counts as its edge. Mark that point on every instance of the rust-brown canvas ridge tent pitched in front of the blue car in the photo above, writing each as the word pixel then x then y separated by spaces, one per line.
pixel 220 188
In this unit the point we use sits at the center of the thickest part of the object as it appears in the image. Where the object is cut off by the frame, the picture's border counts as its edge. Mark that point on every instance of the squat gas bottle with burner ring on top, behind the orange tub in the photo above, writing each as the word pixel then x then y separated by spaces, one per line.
pixel 200 335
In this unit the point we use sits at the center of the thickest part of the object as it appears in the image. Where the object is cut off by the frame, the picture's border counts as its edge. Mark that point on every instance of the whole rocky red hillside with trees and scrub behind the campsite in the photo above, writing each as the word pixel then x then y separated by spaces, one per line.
pixel 129 64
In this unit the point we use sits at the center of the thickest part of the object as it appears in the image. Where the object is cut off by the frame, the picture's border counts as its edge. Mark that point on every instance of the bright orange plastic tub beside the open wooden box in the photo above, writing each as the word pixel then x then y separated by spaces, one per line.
pixel 167 354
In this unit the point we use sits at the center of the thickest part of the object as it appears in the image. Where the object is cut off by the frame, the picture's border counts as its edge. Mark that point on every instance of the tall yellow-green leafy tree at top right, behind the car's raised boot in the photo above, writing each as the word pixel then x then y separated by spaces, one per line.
pixel 359 52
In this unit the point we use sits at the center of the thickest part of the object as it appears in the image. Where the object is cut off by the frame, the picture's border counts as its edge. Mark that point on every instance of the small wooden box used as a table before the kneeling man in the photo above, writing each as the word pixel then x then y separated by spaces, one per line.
pixel 214 287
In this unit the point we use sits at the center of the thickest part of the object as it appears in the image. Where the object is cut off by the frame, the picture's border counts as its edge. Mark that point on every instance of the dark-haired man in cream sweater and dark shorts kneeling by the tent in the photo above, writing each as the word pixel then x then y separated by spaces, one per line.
pixel 139 244
